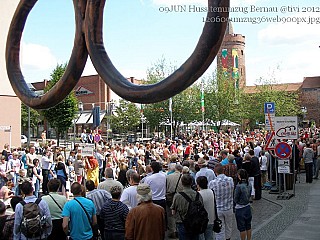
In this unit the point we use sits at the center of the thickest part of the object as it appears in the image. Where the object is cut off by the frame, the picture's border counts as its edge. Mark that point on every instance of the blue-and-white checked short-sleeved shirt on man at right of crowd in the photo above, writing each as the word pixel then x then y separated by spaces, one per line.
pixel 223 189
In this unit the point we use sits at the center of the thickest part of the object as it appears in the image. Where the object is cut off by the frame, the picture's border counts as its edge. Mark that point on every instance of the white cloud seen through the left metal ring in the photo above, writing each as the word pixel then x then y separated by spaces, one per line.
pixel 37 57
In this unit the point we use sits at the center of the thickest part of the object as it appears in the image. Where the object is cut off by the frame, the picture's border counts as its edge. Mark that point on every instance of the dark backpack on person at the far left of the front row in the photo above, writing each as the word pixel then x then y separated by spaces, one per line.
pixel 31 223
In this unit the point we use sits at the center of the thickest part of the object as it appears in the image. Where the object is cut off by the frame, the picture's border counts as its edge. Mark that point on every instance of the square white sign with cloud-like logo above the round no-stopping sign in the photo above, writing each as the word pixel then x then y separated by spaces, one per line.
pixel 286 127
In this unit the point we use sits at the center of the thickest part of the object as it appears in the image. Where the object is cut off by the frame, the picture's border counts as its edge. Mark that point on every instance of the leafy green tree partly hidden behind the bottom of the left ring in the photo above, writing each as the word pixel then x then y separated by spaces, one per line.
pixel 61 116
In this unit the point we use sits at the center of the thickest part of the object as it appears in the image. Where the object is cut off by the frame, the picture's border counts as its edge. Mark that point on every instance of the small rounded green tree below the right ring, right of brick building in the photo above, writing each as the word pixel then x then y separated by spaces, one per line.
pixel 126 117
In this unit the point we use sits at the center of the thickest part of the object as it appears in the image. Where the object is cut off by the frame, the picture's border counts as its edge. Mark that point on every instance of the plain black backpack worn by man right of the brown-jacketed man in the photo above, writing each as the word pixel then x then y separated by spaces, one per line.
pixel 196 219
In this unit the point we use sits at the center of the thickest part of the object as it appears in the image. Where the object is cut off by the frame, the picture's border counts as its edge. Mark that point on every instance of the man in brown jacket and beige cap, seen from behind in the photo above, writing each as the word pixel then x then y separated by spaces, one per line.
pixel 146 221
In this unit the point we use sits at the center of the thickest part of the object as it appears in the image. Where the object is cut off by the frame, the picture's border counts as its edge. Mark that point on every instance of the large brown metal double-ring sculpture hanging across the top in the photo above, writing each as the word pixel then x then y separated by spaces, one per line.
pixel 89 39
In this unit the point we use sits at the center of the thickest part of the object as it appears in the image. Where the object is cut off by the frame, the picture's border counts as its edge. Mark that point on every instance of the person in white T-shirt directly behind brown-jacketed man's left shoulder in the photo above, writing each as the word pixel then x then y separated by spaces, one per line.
pixel 129 195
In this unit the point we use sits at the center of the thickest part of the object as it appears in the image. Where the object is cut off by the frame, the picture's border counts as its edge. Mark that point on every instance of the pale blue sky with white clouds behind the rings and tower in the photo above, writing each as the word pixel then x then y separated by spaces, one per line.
pixel 139 33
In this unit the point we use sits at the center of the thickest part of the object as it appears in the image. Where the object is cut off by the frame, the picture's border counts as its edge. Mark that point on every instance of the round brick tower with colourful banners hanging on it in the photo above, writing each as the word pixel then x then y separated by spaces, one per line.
pixel 231 57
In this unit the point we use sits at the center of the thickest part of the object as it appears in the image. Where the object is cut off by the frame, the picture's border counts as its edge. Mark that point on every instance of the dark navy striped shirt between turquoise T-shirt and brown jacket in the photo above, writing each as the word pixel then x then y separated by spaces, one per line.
pixel 114 214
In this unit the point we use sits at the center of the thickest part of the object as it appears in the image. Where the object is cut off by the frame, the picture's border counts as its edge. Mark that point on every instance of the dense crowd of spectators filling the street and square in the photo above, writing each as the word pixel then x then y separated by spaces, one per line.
pixel 137 190
